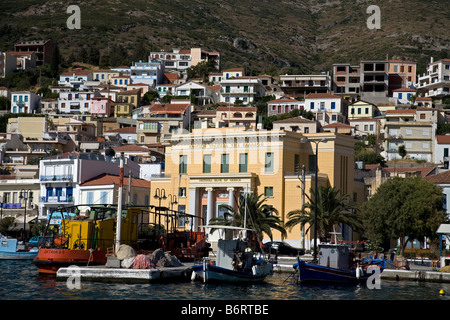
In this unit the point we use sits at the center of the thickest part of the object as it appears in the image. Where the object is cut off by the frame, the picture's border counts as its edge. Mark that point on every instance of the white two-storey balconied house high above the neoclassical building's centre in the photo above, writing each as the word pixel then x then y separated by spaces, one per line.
pixel 244 89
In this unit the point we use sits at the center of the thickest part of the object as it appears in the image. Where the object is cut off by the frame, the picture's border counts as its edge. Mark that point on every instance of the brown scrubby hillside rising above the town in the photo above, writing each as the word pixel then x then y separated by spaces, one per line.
pixel 265 36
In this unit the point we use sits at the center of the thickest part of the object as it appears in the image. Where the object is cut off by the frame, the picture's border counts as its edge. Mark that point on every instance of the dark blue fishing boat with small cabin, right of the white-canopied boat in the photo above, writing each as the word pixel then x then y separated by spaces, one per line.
pixel 335 265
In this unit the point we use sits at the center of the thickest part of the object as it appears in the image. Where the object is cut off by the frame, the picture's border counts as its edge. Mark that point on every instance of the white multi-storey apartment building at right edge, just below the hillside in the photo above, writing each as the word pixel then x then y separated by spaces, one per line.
pixel 435 83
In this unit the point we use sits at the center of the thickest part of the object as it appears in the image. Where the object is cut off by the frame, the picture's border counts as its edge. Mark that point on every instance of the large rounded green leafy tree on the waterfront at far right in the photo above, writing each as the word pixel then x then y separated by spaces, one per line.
pixel 405 209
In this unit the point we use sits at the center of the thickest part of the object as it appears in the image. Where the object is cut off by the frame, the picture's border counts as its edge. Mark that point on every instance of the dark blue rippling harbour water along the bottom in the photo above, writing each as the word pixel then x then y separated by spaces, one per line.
pixel 20 280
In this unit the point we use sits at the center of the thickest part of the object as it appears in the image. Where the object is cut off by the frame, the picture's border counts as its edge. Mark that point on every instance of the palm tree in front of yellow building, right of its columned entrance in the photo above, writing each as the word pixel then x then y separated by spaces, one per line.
pixel 260 216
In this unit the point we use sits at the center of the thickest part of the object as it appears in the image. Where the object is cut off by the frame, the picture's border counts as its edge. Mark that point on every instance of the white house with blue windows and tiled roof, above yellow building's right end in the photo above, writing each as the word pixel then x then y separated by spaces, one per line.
pixel 327 107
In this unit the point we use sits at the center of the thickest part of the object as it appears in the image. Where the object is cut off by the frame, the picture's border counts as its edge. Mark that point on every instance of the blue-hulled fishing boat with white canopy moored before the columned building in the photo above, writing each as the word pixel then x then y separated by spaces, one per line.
pixel 235 262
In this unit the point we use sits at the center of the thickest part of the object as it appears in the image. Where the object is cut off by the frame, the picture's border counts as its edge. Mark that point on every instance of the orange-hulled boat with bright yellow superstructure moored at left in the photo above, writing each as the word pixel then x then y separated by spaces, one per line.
pixel 84 240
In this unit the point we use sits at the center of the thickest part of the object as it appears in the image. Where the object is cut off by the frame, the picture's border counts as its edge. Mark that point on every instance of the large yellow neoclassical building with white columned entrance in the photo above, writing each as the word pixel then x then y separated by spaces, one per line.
pixel 210 167
